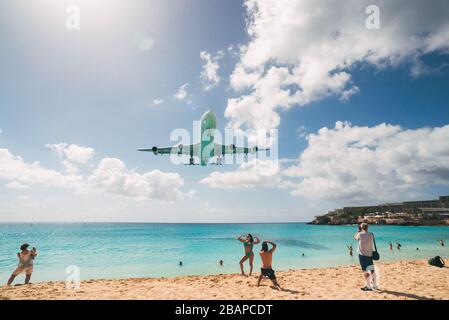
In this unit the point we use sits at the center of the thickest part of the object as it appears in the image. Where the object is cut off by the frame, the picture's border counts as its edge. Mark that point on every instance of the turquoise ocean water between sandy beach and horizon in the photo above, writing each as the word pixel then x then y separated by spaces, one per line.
pixel 120 250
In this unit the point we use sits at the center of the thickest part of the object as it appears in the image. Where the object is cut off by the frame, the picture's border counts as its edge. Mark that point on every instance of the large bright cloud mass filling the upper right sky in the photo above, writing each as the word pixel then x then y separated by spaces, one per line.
pixel 299 53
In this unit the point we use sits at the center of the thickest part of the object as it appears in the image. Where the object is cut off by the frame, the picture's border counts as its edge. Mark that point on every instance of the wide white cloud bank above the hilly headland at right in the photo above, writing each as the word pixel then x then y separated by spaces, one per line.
pixel 362 163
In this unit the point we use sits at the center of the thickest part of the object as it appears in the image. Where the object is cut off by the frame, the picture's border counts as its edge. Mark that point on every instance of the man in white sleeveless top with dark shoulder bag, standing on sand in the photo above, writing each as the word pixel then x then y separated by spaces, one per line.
pixel 365 250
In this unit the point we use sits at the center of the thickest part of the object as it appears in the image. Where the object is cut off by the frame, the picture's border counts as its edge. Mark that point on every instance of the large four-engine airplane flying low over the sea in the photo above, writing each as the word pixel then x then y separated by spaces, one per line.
pixel 207 148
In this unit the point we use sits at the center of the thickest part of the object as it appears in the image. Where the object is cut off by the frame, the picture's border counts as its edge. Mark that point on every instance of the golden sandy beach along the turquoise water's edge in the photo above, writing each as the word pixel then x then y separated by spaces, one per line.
pixel 402 280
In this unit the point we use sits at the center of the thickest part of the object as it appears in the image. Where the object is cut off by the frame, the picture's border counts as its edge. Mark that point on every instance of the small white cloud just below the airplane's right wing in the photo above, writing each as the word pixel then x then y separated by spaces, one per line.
pixel 256 173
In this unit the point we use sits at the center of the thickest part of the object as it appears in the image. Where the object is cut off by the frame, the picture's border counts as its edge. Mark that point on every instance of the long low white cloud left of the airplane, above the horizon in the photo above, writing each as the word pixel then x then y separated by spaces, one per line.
pixel 109 176
